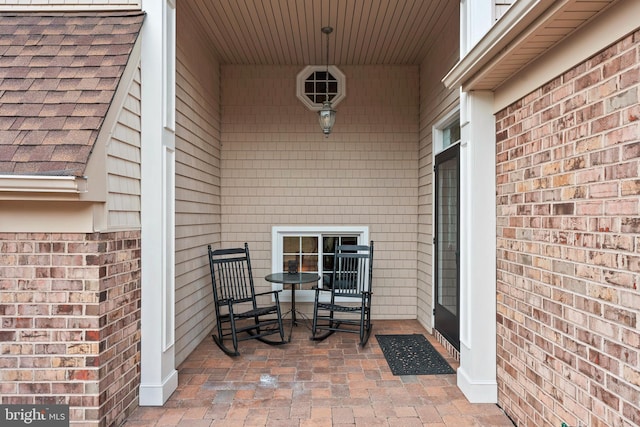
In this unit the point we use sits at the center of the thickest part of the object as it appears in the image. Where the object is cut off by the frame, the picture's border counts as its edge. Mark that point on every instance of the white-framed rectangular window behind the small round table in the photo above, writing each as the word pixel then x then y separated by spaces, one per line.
pixel 312 247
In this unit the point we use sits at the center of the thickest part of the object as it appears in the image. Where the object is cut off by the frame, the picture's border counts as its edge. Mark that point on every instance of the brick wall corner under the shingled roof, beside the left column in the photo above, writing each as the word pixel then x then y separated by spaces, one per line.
pixel 70 313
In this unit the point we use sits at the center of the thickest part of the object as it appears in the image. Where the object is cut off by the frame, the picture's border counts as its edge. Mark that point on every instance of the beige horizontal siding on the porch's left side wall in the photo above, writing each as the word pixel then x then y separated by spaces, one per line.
pixel 197 184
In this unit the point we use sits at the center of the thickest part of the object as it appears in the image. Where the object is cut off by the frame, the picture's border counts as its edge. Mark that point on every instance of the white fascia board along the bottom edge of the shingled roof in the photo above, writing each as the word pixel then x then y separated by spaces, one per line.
pixel 43 184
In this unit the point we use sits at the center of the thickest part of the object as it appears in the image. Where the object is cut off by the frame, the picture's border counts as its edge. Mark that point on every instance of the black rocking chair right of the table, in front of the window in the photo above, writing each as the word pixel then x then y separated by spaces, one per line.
pixel 345 305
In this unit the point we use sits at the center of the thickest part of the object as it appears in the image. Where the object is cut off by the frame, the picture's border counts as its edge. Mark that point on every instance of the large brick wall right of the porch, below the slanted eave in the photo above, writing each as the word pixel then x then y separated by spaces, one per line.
pixel 569 246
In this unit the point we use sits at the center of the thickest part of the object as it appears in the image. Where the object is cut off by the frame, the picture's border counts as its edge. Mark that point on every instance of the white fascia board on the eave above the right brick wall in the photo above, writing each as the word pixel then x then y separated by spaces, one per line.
pixel 521 14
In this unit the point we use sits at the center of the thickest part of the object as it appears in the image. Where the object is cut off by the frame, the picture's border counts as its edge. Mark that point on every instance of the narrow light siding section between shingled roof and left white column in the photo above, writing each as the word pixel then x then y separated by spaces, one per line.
pixel 123 164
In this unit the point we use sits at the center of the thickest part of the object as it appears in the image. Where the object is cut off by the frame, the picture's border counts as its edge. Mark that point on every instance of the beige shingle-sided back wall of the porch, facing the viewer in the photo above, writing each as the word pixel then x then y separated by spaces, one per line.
pixel 279 169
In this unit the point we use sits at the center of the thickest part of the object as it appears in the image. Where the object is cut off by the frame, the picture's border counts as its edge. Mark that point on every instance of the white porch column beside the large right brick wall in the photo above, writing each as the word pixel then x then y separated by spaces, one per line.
pixel 476 375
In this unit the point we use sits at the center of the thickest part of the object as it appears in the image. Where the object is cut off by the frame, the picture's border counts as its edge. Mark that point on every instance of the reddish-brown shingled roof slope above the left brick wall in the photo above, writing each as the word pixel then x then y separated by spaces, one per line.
pixel 58 75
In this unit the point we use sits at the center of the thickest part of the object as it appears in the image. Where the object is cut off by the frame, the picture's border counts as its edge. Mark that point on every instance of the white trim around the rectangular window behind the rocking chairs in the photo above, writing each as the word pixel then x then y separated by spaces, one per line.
pixel 277 234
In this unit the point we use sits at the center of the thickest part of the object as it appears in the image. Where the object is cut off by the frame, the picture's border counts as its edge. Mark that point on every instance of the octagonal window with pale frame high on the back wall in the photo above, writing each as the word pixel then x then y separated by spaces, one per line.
pixel 314 84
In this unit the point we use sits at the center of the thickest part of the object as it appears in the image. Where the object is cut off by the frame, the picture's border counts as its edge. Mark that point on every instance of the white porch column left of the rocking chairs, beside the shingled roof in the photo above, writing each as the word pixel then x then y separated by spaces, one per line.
pixel 159 377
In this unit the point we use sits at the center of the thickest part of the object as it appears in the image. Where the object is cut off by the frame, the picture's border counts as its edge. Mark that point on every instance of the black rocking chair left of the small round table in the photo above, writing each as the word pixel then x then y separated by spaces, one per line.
pixel 237 313
